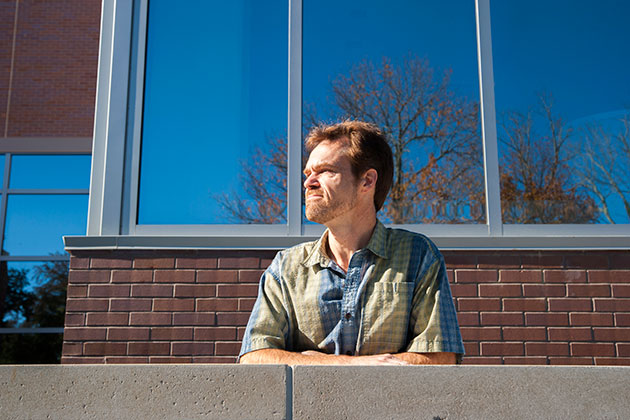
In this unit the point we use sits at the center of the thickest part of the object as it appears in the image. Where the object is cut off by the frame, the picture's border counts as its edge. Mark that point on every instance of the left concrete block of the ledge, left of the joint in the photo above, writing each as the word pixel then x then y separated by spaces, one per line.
pixel 144 392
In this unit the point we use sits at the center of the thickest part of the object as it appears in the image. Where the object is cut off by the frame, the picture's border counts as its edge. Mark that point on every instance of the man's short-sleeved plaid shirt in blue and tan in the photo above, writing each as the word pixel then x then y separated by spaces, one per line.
pixel 395 297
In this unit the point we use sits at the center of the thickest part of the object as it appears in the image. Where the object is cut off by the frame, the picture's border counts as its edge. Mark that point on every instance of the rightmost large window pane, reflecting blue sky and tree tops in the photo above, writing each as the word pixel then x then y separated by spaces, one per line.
pixel 563 97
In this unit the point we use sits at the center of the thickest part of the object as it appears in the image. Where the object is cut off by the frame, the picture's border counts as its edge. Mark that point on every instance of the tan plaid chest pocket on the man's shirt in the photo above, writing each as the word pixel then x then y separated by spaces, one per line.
pixel 385 317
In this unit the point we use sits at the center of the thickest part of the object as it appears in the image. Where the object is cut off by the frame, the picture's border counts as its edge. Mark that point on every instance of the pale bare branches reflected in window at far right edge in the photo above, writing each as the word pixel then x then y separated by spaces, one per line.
pixel 603 168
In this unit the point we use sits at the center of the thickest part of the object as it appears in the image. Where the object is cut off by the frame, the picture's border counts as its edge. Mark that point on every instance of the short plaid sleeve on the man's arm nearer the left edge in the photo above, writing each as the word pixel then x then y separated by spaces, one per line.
pixel 268 324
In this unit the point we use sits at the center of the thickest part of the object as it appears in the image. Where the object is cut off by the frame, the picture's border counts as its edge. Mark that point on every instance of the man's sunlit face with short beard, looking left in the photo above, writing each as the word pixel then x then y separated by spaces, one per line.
pixel 330 187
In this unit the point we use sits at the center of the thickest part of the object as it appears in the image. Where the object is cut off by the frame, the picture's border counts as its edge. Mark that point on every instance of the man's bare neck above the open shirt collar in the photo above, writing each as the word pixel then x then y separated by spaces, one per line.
pixel 344 239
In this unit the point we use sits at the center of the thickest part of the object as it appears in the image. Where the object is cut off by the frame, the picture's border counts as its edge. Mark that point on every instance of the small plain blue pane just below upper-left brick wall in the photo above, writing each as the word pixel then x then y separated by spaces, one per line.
pixel 50 171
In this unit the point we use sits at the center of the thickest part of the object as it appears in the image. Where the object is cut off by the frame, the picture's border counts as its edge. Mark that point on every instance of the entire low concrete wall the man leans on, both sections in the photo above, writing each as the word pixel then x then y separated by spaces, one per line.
pixel 314 392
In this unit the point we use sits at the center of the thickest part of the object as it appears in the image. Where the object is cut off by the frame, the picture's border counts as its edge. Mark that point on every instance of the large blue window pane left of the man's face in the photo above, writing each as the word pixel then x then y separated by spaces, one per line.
pixel 215 113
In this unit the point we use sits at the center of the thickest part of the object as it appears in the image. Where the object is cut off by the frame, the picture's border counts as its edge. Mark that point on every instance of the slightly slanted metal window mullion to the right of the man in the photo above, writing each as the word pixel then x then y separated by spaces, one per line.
pixel 488 119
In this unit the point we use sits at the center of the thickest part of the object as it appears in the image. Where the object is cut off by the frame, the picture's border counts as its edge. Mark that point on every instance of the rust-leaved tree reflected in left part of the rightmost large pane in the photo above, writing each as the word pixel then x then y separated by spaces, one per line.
pixel 536 182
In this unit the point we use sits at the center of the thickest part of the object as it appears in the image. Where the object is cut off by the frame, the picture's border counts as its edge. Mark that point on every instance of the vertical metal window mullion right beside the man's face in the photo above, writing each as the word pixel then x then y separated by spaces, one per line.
pixel 294 155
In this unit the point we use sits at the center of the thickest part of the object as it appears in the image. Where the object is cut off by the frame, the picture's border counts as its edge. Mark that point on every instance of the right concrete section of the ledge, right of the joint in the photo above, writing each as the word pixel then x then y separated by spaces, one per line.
pixel 461 392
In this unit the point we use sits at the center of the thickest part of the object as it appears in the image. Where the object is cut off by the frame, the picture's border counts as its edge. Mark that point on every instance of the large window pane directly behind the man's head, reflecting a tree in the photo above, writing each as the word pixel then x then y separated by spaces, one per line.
pixel 410 67
